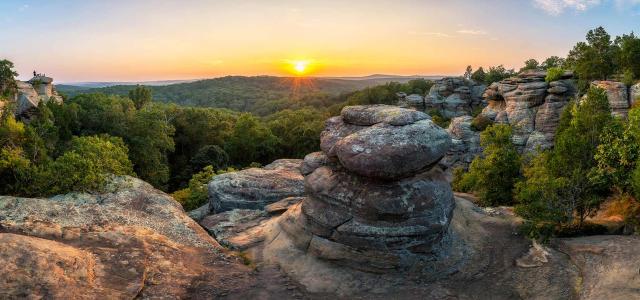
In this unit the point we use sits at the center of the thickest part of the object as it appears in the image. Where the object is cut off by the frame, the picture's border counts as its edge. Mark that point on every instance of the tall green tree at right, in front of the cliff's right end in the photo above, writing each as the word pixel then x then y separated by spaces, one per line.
pixel 560 188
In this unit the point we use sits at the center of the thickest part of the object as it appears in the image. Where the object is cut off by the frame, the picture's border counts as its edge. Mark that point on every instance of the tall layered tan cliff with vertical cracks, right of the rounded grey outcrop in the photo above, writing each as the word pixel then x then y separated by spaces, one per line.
pixel 531 105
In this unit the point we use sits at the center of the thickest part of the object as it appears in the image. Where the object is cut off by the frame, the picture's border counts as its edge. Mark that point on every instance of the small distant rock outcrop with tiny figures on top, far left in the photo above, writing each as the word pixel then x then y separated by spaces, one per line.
pixel 31 93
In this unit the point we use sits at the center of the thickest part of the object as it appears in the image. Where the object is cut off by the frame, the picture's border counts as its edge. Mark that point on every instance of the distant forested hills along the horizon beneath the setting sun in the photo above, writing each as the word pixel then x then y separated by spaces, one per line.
pixel 243 93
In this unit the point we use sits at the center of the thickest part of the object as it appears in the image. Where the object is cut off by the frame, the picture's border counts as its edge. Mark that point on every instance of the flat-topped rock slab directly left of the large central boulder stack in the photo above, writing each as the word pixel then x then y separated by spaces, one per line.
pixel 256 187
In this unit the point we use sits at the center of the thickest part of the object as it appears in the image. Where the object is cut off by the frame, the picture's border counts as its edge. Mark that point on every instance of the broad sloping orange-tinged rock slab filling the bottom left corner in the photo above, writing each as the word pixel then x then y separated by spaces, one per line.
pixel 131 242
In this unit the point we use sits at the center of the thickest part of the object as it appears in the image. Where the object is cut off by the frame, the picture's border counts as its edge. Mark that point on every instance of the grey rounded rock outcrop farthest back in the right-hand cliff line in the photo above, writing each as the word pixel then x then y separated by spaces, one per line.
pixel 454 97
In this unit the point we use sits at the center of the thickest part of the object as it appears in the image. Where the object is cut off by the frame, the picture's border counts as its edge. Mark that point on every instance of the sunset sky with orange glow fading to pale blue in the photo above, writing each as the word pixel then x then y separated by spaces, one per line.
pixel 141 40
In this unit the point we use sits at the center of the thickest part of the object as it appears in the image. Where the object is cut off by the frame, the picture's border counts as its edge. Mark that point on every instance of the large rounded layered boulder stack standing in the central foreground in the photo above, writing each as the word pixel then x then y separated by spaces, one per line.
pixel 376 199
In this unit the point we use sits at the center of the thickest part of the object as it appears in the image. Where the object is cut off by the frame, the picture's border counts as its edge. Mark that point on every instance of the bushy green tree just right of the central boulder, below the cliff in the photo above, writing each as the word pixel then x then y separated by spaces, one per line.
pixel 492 175
